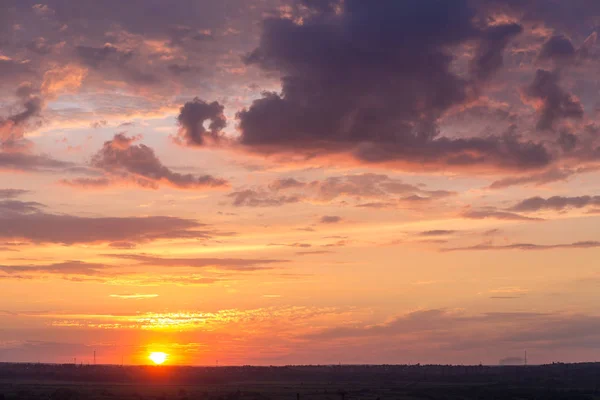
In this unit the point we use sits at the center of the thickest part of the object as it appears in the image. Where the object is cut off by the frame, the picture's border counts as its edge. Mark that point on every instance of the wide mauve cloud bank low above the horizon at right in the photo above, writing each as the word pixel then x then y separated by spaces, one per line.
pixel 457 330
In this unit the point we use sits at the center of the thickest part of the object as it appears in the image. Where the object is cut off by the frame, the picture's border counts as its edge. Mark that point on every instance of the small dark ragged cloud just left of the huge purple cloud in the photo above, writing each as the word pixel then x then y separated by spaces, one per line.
pixel 192 117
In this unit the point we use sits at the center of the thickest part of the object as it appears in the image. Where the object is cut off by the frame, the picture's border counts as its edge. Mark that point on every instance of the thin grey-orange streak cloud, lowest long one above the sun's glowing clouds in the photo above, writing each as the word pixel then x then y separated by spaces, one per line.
pixel 234 264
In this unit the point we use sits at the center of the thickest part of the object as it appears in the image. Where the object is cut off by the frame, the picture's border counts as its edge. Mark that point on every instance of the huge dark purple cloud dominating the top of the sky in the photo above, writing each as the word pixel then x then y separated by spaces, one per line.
pixel 378 97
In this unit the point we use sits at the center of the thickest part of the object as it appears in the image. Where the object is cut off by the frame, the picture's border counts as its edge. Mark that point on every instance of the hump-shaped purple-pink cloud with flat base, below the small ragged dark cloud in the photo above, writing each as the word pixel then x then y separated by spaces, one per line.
pixel 122 160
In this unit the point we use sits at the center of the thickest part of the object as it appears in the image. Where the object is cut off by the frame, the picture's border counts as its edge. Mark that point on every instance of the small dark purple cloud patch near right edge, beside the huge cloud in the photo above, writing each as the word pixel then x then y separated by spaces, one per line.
pixel 554 103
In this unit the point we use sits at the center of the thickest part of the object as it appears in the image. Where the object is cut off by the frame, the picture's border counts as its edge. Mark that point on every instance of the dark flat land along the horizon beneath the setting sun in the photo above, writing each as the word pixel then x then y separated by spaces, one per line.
pixel 70 382
